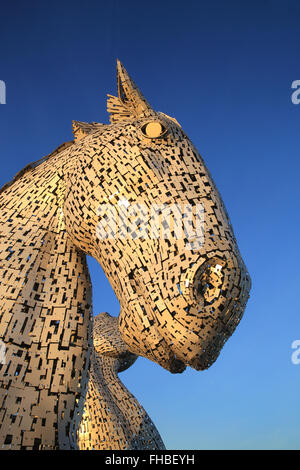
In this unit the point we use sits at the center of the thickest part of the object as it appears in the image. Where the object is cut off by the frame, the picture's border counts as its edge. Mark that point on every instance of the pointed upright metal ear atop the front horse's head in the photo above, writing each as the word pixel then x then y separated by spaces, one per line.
pixel 130 102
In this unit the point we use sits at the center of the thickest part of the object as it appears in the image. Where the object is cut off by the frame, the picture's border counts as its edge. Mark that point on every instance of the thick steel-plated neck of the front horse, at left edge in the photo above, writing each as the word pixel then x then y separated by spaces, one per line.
pixel 45 313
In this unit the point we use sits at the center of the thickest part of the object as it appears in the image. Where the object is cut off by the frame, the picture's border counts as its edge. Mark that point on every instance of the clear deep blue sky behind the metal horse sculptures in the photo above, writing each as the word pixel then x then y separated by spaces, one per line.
pixel 224 70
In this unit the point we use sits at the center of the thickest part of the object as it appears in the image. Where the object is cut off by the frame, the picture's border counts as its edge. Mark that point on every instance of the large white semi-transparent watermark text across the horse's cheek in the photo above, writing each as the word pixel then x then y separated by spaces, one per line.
pixel 159 221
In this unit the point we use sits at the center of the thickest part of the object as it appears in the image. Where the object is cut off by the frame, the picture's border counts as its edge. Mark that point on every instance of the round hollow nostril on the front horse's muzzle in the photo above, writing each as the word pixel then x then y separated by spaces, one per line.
pixel 208 281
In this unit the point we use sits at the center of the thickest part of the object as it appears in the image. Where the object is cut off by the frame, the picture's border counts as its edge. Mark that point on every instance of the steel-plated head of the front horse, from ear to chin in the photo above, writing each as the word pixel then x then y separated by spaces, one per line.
pixel 179 301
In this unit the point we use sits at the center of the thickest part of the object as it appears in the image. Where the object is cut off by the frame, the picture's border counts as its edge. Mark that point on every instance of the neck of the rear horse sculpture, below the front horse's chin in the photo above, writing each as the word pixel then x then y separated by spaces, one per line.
pixel 127 424
